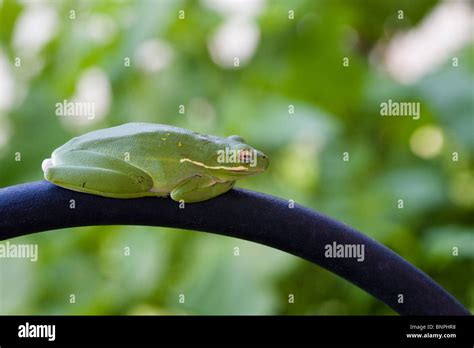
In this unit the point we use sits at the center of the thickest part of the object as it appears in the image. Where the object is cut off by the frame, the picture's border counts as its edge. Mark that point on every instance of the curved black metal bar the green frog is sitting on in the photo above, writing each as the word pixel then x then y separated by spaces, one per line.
pixel 41 206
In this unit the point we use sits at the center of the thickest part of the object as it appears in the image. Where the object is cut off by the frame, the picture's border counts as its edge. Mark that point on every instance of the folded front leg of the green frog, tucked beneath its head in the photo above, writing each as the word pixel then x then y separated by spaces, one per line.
pixel 199 188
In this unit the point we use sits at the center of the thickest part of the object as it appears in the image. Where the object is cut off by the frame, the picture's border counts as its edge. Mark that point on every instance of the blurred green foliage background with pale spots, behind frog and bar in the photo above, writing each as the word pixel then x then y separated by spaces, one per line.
pixel 300 80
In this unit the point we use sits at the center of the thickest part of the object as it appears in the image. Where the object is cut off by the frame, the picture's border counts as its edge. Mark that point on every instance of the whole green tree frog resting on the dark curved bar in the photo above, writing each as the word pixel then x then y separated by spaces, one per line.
pixel 145 159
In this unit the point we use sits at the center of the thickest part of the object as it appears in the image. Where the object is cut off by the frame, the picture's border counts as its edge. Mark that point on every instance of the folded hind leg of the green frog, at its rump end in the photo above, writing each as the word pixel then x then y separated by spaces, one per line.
pixel 90 172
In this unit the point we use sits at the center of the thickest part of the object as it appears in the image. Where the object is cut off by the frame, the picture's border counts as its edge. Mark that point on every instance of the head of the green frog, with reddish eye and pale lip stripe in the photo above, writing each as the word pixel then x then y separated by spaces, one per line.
pixel 235 159
